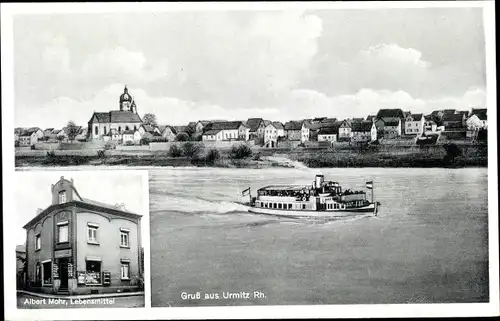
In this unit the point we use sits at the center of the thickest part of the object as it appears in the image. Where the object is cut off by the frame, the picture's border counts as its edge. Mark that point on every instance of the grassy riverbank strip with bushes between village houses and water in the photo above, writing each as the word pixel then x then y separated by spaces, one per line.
pixel 432 156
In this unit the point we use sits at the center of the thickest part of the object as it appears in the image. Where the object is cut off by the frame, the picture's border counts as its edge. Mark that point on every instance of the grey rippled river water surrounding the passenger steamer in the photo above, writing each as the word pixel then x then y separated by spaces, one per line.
pixel 428 244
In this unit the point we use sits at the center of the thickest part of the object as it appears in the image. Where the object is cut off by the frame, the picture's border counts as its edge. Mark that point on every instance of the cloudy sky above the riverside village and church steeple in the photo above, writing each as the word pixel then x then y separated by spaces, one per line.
pixel 278 65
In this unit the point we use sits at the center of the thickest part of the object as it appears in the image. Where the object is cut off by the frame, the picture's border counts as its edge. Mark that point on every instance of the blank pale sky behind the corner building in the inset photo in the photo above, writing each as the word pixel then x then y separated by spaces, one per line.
pixel 33 191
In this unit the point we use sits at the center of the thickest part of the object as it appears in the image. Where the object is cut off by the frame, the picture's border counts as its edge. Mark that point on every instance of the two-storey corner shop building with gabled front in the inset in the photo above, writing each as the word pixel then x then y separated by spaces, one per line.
pixel 80 246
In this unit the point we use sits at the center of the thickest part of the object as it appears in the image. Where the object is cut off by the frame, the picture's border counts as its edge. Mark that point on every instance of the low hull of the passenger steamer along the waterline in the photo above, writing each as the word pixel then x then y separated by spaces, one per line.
pixel 369 209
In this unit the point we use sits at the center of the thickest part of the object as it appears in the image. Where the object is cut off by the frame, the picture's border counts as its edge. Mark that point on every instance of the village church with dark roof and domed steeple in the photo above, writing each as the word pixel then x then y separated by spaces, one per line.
pixel 115 122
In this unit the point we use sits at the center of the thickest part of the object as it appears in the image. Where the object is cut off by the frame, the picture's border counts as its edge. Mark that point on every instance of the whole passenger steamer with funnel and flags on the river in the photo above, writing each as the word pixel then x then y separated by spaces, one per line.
pixel 320 199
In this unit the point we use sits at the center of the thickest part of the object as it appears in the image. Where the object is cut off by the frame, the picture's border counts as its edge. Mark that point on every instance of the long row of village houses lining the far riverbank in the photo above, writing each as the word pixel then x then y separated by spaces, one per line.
pixel 387 124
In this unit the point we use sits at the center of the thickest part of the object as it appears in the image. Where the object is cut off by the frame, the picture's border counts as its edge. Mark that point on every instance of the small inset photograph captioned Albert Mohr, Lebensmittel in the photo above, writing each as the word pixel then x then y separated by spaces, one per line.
pixel 79 239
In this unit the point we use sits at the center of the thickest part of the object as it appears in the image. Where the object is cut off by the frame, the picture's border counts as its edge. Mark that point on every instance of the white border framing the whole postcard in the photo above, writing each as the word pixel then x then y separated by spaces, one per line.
pixel 316 311
